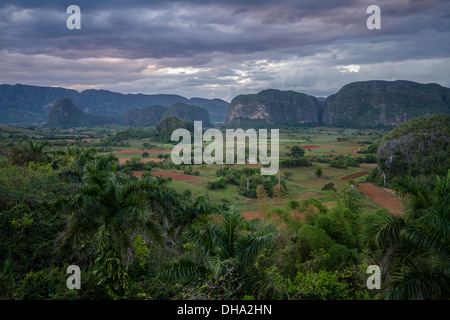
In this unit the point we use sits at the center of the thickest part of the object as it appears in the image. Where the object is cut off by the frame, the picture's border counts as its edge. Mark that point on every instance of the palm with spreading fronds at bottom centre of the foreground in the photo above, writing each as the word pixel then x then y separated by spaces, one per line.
pixel 230 246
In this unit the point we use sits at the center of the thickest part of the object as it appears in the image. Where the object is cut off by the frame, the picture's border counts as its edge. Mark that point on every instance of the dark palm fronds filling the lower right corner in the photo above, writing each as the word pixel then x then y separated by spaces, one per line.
pixel 416 245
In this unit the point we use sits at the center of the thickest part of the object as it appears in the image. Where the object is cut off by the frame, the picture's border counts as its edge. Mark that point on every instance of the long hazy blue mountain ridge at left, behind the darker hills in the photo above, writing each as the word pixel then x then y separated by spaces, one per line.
pixel 25 104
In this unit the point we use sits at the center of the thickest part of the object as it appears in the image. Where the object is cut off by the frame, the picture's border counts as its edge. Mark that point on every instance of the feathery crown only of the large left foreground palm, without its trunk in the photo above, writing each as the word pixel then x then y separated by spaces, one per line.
pixel 107 213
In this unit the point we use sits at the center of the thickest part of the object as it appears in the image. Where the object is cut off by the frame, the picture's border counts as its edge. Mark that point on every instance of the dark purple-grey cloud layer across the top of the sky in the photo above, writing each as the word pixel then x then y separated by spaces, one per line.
pixel 157 29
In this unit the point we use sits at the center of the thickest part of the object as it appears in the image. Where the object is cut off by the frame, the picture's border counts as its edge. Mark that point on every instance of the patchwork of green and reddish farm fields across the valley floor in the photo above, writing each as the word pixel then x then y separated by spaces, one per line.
pixel 319 144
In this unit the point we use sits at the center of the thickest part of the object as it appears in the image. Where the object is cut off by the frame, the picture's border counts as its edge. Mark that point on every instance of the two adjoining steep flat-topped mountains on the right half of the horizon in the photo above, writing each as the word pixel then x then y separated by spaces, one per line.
pixel 365 104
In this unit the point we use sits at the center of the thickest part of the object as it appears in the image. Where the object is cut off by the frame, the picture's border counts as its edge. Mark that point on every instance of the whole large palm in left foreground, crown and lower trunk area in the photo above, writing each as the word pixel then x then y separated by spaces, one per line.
pixel 105 215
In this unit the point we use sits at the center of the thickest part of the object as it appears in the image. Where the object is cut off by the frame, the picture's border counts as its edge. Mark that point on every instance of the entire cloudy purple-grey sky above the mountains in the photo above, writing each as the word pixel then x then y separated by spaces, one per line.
pixel 220 49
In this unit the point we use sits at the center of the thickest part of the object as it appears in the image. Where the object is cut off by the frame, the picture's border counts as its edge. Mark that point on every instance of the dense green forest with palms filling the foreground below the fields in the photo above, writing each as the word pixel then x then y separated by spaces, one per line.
pixel 139 238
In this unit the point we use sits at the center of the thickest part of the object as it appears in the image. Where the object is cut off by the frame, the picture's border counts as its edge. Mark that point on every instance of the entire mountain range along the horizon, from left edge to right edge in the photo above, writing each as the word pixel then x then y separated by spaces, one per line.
pixel 364 104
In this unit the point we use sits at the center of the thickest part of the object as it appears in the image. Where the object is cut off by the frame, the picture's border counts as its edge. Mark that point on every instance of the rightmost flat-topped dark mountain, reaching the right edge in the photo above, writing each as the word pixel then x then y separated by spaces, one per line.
pixel 384 103
